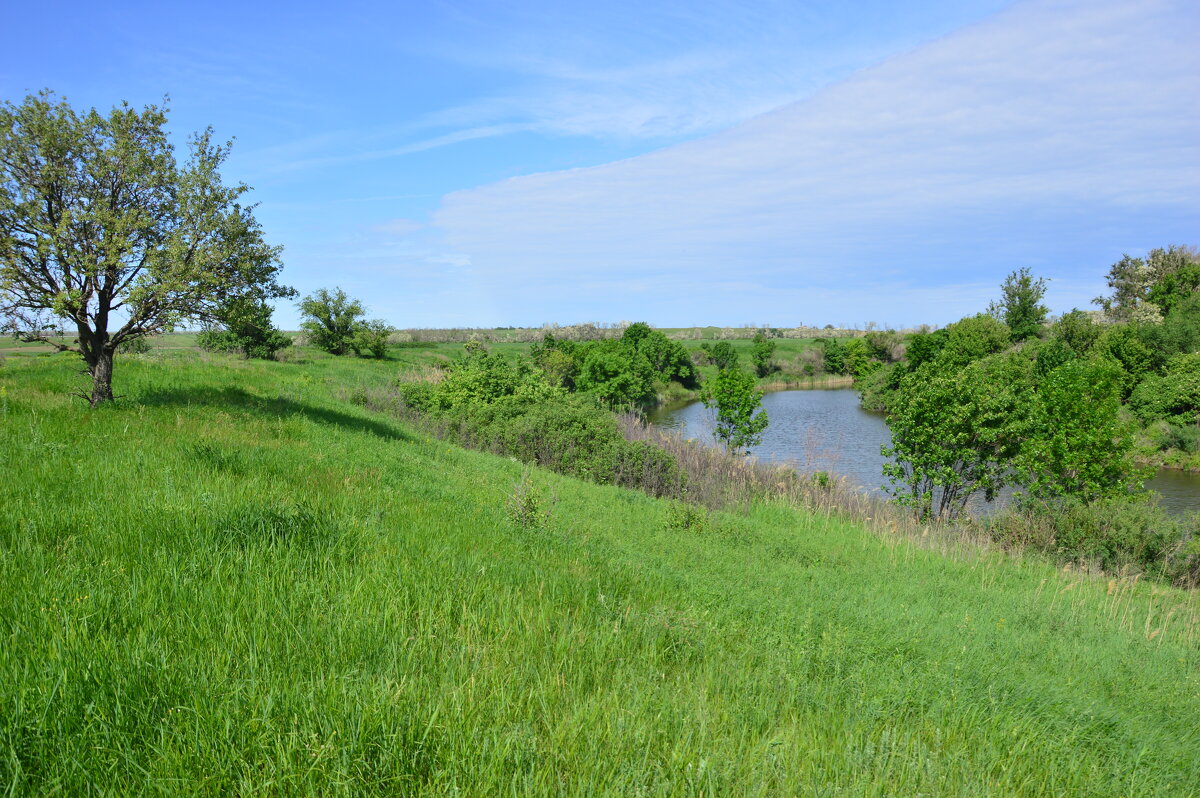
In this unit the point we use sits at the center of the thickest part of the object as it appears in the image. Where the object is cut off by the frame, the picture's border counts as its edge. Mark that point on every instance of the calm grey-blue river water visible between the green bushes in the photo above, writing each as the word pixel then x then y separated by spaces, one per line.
pixel 827 430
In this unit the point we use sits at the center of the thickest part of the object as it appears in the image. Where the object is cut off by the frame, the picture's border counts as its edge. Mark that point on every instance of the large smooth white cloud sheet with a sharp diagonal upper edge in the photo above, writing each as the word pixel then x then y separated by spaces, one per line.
pixel 992 148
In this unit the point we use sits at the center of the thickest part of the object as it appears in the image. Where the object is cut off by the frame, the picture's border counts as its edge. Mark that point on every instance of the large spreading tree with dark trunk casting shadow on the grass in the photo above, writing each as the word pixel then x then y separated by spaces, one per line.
pixel 104 235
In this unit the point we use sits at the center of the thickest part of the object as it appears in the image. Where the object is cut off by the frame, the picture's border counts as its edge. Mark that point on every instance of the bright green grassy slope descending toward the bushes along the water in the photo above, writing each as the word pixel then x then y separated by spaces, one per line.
pixel 236 583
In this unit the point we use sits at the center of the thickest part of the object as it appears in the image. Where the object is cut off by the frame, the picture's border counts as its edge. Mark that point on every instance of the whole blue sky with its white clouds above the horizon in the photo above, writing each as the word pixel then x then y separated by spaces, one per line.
pixel 485 164
